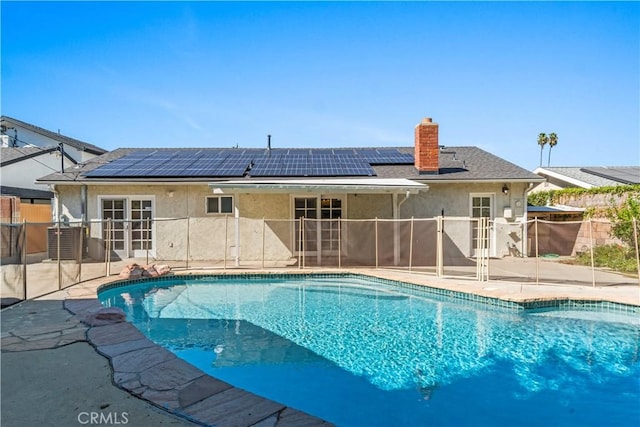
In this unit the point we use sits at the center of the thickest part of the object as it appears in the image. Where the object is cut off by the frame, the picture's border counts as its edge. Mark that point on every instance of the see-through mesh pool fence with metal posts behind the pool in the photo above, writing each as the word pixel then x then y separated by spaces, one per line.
pixel 536 251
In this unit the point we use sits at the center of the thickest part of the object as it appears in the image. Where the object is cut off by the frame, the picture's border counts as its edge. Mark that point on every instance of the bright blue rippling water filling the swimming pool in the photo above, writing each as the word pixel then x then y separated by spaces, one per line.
pixel 358 353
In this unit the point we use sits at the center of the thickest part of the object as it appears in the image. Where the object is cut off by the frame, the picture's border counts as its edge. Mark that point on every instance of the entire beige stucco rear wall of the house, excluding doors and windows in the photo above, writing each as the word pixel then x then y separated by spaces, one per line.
pixel 203 236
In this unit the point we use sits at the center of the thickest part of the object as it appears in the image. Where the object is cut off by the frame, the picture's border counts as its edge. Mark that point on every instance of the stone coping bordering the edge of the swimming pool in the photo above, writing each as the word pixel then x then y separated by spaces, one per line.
pixel 152 373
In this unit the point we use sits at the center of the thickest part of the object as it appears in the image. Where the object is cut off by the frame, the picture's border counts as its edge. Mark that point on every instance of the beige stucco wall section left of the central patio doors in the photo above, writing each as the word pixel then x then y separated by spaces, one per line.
pixel 203 233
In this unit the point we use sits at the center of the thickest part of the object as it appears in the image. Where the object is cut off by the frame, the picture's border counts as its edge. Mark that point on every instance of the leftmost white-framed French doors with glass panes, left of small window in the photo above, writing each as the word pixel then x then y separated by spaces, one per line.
pixel 131 230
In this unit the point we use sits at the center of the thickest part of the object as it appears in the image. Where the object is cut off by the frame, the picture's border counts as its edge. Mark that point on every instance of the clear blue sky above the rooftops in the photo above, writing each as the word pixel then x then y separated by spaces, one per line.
pixel 330 74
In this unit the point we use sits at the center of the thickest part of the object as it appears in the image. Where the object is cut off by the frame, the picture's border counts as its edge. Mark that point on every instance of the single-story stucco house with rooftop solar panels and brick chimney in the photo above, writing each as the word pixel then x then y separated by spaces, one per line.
pixel 289 187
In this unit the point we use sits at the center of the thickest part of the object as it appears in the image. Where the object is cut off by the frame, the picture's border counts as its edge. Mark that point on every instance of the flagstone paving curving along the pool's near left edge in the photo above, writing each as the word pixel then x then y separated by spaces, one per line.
pixel 139 366
